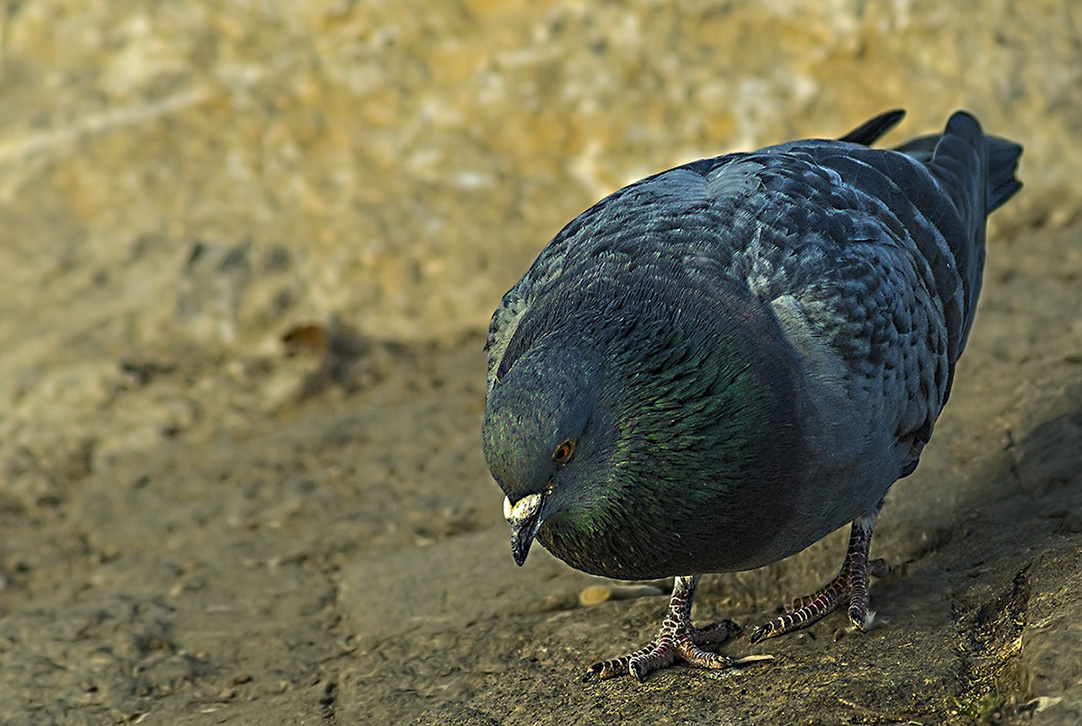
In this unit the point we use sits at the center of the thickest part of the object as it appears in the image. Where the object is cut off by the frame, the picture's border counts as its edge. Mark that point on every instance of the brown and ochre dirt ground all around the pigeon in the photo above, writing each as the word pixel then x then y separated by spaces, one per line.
pixel 248 254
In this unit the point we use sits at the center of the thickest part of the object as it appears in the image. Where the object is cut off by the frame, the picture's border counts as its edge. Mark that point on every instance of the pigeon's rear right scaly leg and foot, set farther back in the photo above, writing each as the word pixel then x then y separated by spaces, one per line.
pixel 851 586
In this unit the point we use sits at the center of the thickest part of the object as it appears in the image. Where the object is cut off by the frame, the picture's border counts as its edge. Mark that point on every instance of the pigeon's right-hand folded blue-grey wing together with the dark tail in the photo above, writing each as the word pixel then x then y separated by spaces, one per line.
pixel 882 254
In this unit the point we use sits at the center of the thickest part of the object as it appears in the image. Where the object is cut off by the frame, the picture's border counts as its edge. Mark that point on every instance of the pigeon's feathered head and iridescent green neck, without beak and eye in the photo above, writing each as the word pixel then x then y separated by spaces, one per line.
pixel 680 399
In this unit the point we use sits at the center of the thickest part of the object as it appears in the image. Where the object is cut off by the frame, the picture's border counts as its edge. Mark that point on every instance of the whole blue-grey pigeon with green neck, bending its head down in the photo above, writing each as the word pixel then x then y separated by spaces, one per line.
pixel 718 366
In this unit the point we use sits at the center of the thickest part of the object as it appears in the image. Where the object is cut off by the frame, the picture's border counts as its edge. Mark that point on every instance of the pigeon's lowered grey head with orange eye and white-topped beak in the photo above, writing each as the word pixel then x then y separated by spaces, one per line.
pixel 545 437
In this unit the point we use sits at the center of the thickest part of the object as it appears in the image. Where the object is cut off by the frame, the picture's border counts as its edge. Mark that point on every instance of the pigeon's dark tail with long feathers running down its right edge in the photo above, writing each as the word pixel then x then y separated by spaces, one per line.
pixel 978 175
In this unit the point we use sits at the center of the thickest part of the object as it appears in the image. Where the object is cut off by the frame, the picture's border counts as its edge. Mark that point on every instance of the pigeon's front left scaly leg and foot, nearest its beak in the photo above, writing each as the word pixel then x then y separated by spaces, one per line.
pixel 678 639
